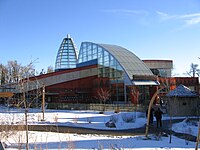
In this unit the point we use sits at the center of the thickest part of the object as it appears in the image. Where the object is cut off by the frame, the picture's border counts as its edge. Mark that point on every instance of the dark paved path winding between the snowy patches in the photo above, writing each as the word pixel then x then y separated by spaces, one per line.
pixel 78 130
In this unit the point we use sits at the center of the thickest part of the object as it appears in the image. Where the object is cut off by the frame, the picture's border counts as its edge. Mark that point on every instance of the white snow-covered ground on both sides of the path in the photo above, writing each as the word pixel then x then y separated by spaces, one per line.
pixel 88 119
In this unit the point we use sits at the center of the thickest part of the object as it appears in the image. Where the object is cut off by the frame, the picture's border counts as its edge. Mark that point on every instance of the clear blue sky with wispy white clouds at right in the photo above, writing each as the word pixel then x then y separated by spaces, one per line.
pixel 151 29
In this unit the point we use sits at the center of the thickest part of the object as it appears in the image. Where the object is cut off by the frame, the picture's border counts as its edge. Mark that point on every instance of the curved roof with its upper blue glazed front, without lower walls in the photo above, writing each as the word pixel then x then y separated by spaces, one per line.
pixel 113 61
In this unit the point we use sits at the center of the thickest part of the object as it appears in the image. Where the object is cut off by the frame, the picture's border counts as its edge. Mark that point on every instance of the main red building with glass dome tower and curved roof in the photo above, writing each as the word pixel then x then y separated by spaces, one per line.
pixel 105 67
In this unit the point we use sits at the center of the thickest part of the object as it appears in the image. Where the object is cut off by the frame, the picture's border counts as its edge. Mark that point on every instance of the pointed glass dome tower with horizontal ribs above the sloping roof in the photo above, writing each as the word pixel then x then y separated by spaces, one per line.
pixel 66 56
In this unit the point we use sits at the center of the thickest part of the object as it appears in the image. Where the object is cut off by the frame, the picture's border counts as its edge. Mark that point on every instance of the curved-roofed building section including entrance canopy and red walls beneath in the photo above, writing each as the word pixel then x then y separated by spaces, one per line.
pixel 125 73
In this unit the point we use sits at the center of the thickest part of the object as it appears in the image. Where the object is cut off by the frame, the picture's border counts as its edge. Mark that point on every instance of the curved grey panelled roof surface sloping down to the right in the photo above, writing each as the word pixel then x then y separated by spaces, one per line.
pixel 129 61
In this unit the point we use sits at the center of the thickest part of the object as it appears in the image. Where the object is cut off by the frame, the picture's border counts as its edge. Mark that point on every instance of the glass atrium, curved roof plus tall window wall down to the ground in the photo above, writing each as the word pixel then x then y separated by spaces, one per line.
pixel 114 63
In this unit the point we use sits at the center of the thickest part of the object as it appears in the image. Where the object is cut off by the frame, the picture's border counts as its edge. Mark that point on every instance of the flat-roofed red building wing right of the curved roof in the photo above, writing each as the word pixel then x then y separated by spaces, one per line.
pixel 163 70
